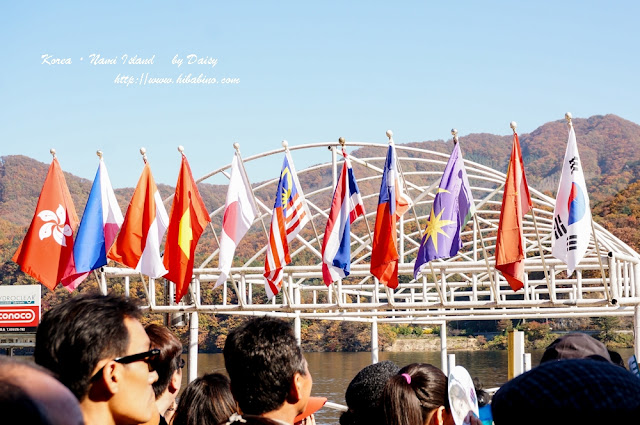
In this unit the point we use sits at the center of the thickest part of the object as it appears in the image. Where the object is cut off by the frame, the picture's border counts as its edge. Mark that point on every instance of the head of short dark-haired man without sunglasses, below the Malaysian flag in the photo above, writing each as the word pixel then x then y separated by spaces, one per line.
pixel 266 367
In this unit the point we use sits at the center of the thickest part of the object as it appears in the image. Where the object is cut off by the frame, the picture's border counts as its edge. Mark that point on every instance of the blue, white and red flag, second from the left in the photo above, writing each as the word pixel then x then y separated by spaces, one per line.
pixel 100 223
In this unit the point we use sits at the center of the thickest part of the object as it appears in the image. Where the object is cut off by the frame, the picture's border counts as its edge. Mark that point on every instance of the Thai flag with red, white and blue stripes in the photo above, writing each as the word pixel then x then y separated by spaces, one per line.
pixel 345 208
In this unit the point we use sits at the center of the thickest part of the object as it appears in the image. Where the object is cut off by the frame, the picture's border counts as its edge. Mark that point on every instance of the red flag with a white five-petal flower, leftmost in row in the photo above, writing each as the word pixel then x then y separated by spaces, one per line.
pixel 46 252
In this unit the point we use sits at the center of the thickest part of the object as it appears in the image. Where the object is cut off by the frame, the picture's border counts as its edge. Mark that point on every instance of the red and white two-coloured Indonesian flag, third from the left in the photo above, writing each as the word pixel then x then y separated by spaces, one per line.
pixel 138 243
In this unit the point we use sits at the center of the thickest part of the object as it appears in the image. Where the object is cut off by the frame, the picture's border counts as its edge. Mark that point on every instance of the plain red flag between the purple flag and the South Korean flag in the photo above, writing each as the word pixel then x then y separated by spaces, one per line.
pixel 516 202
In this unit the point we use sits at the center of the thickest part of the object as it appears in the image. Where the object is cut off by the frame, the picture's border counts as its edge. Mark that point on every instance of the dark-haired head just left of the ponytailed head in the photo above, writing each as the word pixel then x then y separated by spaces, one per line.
pixel 363 394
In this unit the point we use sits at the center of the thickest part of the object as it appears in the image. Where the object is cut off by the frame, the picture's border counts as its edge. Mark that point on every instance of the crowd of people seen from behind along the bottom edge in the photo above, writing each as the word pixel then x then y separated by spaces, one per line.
pixel 96 364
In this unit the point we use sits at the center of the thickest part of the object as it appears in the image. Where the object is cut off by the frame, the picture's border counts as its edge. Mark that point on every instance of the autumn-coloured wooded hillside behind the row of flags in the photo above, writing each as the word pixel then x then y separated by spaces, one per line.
pixel 609 149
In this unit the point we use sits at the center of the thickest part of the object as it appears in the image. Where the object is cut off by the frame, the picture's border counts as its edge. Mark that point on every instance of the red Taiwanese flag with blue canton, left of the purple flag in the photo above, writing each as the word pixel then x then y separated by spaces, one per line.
pixel 392 203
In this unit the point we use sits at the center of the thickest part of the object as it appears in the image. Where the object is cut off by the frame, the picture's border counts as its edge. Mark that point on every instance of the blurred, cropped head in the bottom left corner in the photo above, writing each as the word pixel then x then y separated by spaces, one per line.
pixel 29 394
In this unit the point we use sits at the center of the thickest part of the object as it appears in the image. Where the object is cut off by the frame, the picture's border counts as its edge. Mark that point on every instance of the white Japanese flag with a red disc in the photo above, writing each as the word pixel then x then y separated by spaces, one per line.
pixel 239 213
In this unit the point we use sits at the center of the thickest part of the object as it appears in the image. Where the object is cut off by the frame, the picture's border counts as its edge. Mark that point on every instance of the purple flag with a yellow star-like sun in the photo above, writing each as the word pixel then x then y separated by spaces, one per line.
pixel 452 208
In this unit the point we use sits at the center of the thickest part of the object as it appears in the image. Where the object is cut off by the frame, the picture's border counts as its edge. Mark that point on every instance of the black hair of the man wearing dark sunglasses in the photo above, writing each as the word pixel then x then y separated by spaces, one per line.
pixel 74 336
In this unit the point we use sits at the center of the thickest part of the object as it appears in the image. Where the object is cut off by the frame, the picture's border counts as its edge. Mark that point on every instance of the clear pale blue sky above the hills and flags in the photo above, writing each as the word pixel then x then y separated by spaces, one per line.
pixel 309 73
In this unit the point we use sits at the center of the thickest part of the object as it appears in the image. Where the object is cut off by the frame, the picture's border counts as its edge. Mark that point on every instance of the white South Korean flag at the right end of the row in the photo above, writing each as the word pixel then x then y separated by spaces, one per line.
pixel 572 213
